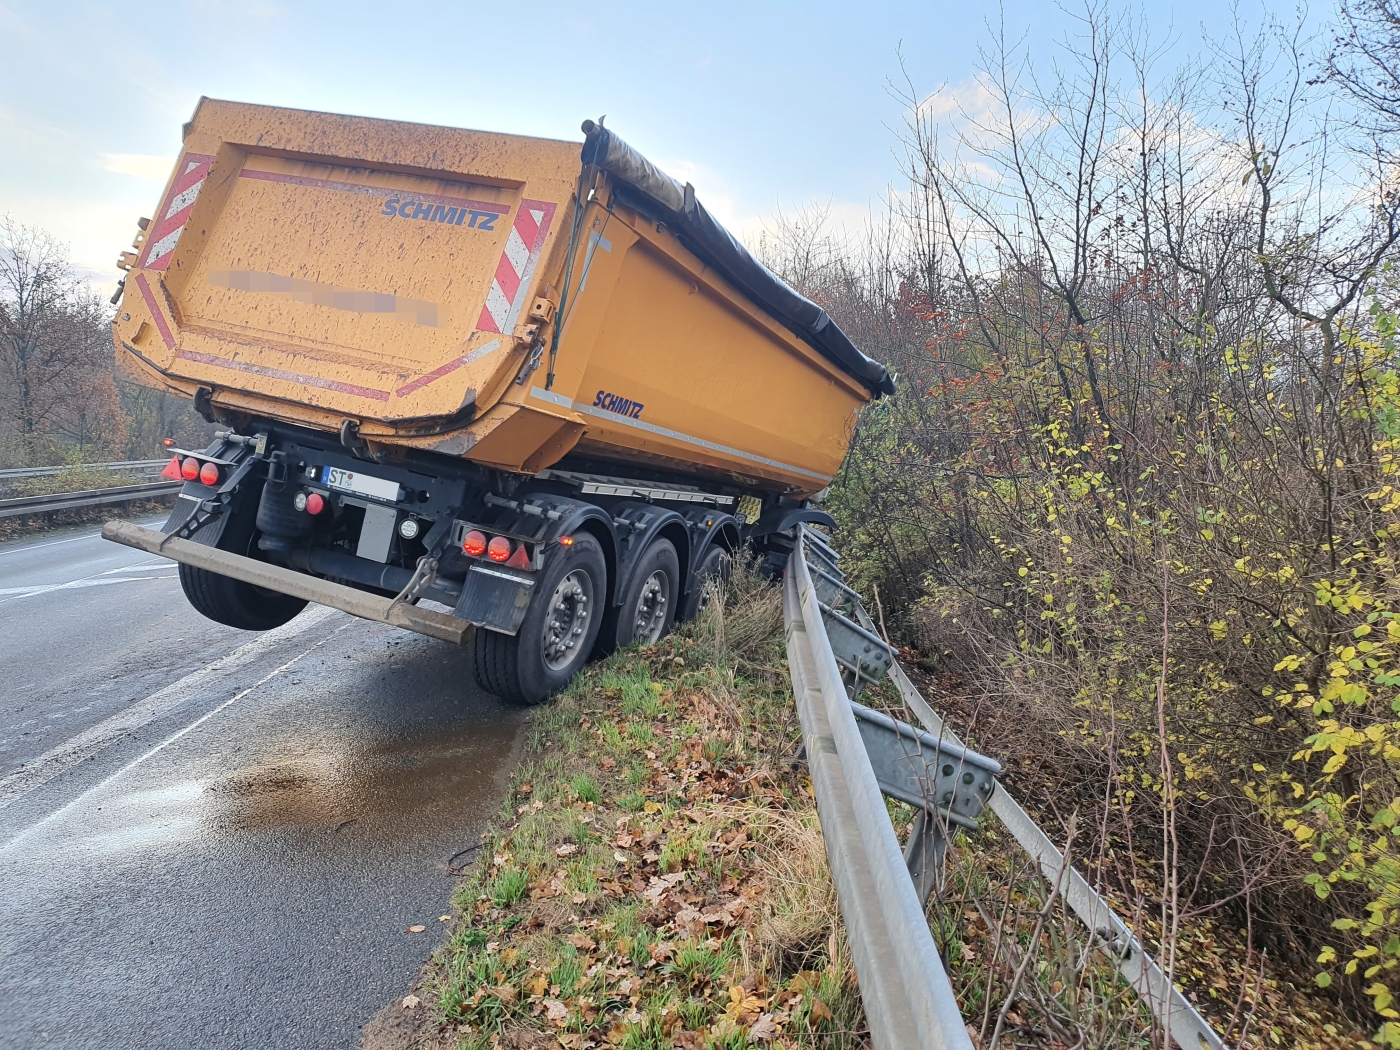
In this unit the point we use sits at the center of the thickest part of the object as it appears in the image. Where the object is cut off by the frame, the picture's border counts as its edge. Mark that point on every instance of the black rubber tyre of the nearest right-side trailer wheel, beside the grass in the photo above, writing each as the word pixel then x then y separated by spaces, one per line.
pixel 517 670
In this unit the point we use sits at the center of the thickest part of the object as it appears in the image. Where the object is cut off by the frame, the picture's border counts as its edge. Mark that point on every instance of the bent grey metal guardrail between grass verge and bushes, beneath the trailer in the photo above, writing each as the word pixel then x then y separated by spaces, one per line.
pixel 881 891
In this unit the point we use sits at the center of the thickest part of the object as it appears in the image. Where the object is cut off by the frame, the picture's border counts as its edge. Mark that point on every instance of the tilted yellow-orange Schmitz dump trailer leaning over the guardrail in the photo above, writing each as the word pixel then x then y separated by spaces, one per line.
pixel 426 341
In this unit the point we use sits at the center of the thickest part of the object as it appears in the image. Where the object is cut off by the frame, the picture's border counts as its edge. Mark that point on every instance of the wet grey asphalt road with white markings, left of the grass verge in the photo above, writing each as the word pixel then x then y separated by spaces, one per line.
pixel 211 838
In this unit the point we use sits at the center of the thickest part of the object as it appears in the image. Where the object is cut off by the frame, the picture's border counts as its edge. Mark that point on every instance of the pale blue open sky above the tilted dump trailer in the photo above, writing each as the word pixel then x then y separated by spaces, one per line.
pixel 761 106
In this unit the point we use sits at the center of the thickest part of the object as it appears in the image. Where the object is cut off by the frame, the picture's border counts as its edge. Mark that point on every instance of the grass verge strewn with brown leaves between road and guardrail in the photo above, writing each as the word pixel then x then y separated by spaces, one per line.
pixel 657 877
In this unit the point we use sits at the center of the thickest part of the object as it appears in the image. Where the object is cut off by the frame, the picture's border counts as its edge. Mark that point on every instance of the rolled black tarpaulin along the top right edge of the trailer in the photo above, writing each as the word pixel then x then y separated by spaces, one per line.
pixel 687 218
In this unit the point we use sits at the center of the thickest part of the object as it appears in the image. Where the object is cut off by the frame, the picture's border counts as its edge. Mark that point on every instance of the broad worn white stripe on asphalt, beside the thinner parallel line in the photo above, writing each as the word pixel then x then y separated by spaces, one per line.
pixel 22 782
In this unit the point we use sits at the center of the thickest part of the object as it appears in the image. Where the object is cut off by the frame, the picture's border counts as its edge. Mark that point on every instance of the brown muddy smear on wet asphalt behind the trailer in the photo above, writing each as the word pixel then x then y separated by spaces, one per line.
pixel 367 783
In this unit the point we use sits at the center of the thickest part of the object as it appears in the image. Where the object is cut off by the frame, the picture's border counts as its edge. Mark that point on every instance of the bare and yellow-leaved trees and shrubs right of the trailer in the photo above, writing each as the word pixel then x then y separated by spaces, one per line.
pixel 1139 485
